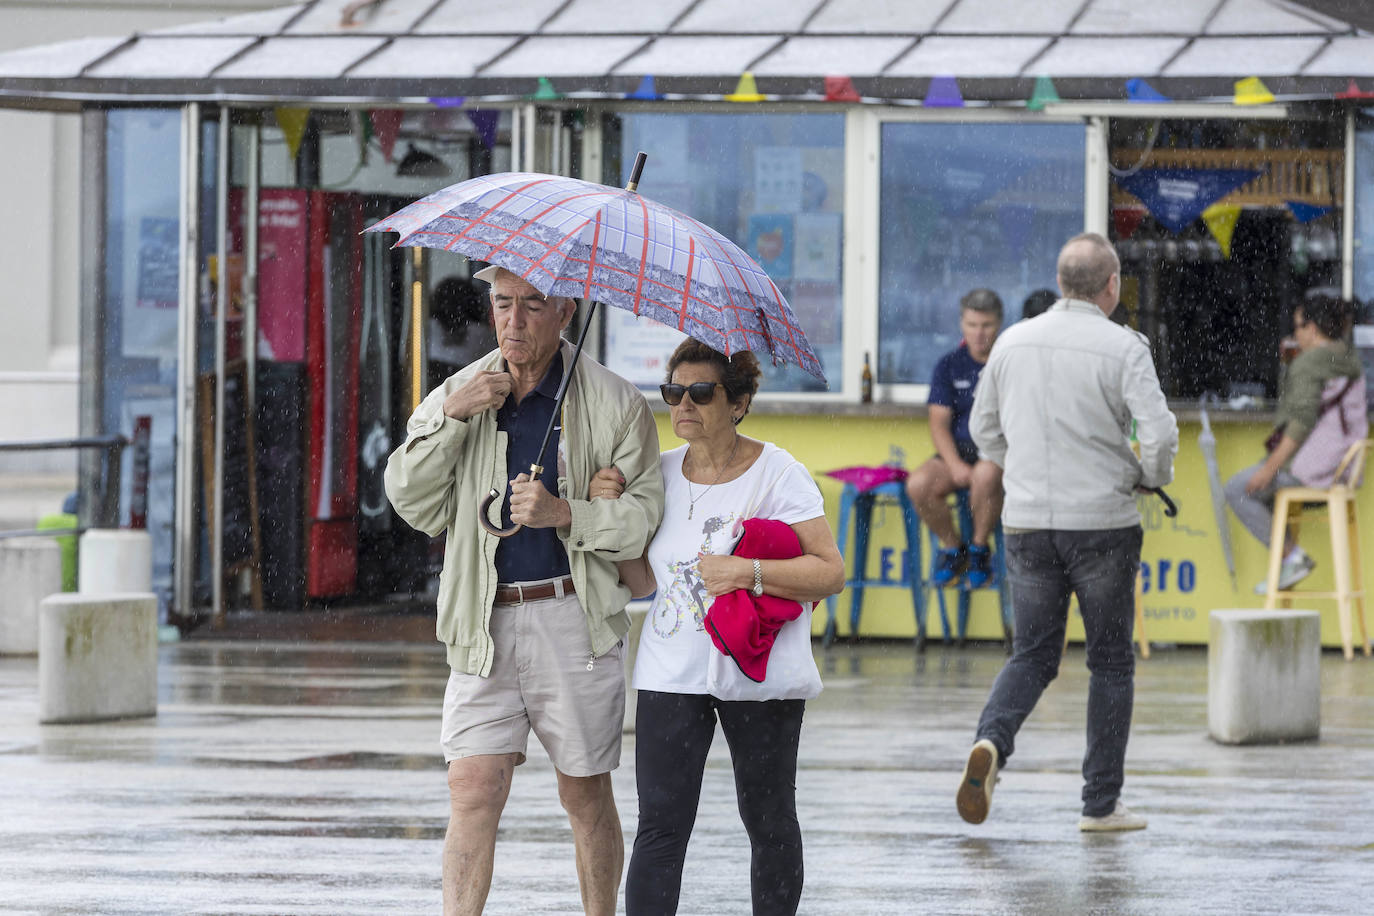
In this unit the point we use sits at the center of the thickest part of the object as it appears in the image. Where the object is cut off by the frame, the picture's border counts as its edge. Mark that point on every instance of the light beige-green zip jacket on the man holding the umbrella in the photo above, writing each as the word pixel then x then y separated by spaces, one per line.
pixel 444 470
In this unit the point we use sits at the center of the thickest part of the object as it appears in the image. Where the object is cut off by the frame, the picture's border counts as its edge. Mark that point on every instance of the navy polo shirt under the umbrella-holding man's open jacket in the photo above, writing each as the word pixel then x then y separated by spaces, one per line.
pixel 534 553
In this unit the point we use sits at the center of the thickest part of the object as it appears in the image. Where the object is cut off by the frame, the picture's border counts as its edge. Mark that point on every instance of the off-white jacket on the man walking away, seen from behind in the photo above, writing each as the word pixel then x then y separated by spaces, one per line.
pixel 1055 409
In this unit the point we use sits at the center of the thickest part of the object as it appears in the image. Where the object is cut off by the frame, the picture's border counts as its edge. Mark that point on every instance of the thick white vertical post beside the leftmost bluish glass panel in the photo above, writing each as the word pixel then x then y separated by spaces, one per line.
pixel 186 369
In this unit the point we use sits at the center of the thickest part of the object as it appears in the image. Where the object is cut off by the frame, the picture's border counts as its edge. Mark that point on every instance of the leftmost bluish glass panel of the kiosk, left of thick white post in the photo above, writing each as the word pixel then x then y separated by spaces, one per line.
pixel 142 278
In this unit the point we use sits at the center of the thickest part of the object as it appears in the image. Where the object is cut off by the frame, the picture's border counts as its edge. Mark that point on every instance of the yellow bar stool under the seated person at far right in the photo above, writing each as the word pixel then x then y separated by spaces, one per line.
pixel 1339 501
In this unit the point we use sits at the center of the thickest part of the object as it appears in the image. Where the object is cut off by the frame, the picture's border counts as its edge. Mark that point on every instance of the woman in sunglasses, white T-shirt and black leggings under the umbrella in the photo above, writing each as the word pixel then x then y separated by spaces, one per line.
pixel 686 685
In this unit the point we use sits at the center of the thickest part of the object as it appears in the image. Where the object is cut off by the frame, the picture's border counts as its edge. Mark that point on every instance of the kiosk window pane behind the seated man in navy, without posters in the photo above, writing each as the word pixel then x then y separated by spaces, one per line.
pixel 968 207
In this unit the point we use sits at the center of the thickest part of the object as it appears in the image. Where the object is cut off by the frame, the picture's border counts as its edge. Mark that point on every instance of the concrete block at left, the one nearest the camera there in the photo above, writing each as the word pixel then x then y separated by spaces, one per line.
pixel 98 657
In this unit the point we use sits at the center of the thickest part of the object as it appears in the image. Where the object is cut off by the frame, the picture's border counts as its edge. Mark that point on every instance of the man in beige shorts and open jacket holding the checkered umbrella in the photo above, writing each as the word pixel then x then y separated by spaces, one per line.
pixel 532 623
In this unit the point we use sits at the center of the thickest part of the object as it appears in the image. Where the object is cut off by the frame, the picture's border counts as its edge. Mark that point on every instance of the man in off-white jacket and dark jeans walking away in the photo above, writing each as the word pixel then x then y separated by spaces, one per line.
pixel 1055 409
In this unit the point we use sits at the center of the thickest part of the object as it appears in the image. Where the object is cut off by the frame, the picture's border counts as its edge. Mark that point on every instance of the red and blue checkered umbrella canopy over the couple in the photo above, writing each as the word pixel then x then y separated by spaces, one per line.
pixel 587 241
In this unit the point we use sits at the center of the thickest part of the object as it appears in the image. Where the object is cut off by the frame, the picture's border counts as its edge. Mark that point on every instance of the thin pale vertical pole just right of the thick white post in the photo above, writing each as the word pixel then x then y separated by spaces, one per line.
pixel 222 312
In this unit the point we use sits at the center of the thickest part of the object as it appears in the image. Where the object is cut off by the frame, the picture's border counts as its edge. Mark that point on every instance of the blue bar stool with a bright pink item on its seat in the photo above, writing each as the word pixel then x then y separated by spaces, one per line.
pixel 859 503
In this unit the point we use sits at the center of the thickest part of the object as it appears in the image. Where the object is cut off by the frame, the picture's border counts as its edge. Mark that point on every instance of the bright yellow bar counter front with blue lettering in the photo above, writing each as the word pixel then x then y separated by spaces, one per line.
pixel 1184 566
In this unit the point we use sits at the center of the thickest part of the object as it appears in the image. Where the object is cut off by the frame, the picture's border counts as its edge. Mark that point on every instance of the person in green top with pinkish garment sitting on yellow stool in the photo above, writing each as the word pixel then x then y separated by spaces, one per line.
pixel 1322 413
